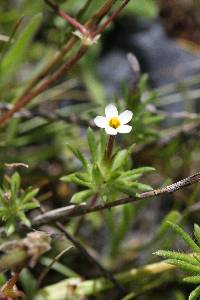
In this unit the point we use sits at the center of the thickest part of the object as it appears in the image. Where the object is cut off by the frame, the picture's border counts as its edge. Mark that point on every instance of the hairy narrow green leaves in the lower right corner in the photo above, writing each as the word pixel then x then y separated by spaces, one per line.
pixel 188 262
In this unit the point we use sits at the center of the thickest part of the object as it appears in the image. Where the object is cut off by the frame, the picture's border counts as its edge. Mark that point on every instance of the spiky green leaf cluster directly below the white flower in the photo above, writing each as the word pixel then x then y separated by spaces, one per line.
pixel 105 178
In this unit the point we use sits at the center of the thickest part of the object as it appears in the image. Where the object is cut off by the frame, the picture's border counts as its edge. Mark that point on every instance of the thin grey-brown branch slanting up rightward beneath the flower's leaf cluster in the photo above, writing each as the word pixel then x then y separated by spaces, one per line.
pixel 82 209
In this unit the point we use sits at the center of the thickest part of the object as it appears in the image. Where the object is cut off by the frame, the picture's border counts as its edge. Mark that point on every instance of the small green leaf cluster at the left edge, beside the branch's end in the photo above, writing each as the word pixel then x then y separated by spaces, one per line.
pixel 14 203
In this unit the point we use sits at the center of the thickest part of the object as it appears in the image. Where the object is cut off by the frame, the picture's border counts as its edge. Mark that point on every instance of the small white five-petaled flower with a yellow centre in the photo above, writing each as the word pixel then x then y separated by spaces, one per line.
pixel 113 122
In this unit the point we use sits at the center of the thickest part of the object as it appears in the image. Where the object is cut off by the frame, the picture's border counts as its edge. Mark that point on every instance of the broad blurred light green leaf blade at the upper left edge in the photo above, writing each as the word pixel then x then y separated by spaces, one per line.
pixel 16 54
